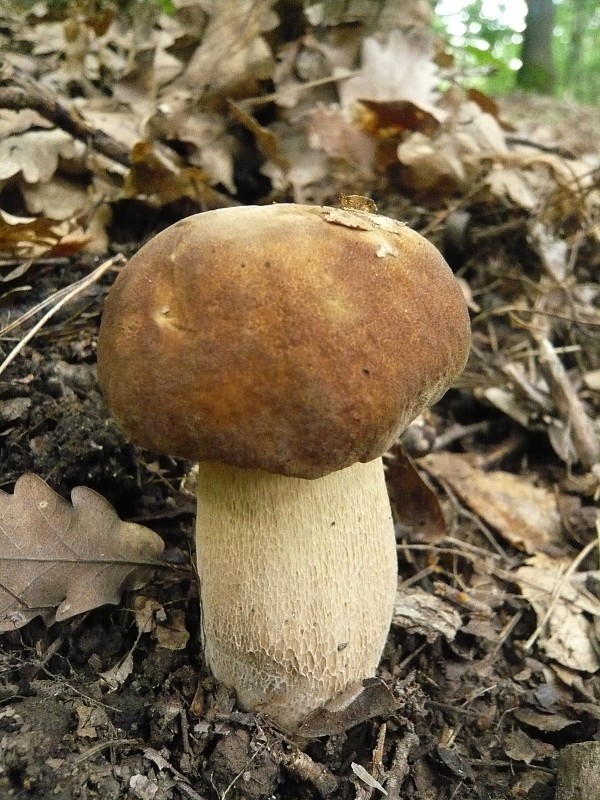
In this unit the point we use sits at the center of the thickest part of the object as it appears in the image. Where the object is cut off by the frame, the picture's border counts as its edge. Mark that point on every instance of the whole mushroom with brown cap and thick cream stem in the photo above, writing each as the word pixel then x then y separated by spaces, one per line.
pixel 284 348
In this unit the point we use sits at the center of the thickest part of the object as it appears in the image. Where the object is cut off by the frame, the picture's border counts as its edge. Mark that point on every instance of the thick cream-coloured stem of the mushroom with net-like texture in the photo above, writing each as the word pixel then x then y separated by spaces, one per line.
pixel 297 583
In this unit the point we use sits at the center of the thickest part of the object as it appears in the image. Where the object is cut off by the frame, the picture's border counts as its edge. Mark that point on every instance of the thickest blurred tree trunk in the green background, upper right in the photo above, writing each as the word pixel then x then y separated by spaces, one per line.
pixel 537 72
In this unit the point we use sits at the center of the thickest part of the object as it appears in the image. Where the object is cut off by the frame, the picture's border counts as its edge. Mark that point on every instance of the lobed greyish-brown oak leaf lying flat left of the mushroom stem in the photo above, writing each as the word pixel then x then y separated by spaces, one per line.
pixel 72 558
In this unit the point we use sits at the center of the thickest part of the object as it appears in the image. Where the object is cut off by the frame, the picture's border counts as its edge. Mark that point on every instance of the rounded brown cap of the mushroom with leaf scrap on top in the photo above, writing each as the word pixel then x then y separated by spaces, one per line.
pixel 295 339
